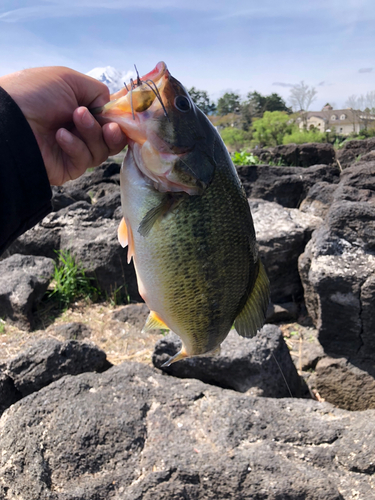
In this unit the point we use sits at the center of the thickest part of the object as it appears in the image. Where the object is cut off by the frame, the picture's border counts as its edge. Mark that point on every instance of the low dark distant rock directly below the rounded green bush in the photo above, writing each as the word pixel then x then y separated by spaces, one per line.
pixel 298 155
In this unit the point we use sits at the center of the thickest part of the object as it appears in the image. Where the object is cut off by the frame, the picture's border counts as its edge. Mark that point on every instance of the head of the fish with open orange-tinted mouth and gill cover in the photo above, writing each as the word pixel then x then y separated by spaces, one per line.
pixel 171 140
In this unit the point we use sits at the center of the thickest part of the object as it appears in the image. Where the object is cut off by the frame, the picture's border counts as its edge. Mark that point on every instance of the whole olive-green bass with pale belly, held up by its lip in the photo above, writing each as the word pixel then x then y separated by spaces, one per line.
pixel 186 218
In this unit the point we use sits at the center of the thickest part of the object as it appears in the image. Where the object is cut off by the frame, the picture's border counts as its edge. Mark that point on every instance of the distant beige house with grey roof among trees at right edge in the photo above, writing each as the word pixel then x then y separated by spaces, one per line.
pixel 341 121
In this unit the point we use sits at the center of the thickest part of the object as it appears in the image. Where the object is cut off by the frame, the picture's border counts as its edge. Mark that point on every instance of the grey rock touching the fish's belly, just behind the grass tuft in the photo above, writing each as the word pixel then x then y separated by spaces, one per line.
pixel 90 233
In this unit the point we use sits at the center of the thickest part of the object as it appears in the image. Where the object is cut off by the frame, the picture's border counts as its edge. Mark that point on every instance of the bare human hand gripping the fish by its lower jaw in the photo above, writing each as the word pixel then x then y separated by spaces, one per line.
pixel 54 101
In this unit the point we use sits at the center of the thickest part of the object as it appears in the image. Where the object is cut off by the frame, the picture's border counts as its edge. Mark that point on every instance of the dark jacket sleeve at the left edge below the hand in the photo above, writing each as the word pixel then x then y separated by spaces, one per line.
pixel 25 193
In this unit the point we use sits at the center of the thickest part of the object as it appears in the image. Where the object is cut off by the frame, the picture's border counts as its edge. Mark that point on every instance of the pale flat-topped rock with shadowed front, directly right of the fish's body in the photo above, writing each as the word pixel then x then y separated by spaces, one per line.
pixel 282 234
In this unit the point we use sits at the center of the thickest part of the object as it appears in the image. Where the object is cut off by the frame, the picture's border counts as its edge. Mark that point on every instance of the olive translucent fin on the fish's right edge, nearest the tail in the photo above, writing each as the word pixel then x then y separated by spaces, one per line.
pixel 251 317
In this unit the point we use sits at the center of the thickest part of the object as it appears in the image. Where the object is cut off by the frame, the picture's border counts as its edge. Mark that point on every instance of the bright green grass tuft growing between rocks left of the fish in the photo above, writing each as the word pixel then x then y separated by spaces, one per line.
pixel 70 281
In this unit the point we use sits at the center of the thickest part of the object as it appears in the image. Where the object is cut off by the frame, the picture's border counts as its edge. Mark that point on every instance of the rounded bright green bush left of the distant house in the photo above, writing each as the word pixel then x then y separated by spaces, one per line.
pixel 270 130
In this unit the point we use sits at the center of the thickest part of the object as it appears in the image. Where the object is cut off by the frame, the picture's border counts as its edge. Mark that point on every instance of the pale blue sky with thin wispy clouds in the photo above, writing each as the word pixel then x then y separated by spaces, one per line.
pixel 214 45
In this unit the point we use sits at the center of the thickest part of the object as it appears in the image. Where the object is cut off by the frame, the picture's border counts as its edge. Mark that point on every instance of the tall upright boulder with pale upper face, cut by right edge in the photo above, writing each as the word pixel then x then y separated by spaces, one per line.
pixel 337 270
